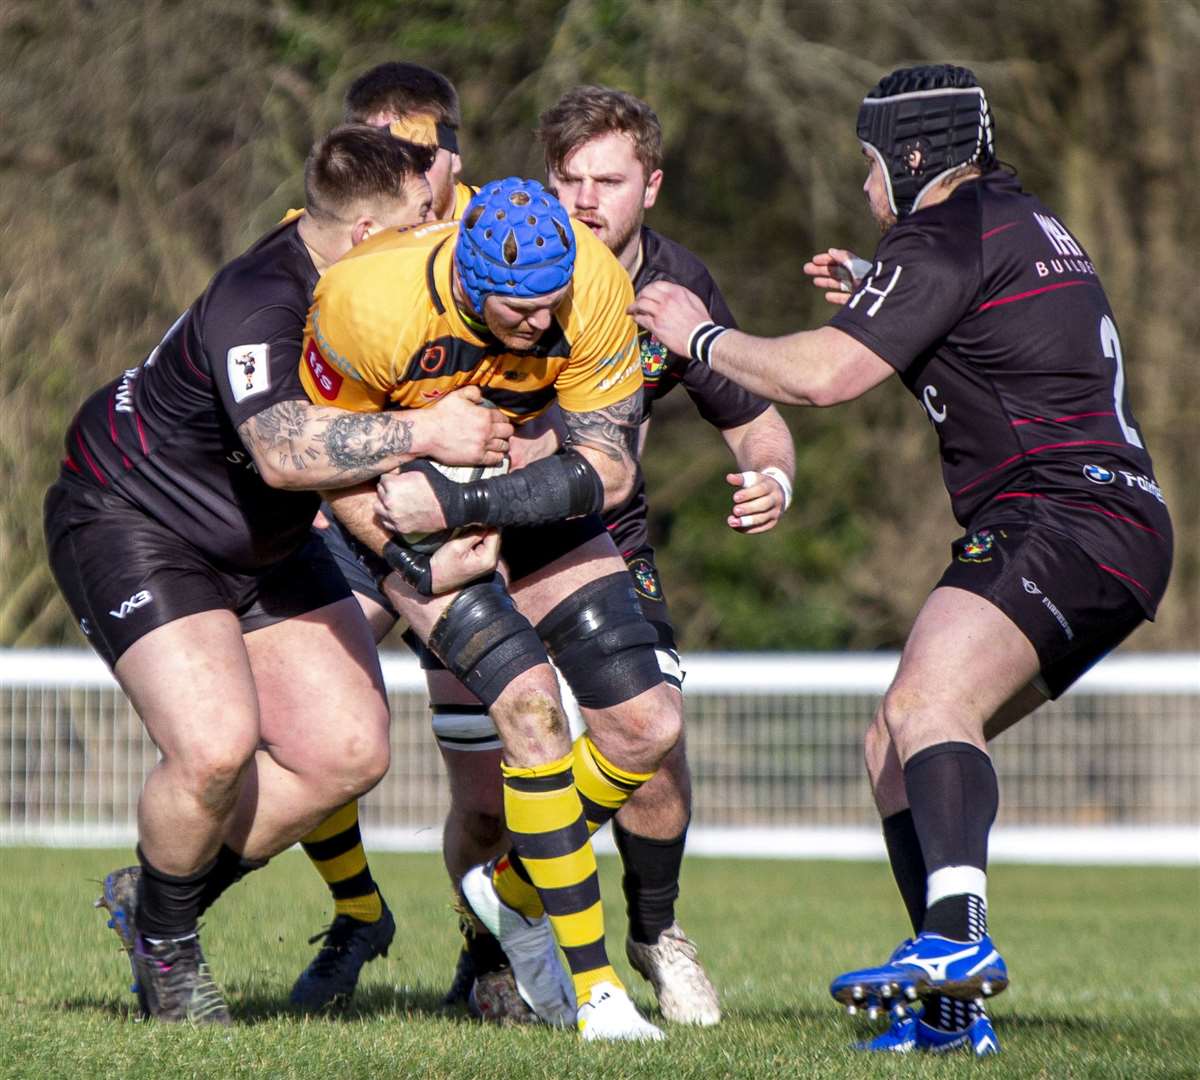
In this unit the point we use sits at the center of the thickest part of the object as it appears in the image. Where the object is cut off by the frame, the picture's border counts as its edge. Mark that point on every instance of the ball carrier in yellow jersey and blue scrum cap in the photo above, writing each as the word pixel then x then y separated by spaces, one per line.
pixel 530 307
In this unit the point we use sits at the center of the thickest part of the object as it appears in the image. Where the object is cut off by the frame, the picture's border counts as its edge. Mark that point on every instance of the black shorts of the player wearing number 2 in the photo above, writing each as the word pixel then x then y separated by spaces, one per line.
pixel 1072 613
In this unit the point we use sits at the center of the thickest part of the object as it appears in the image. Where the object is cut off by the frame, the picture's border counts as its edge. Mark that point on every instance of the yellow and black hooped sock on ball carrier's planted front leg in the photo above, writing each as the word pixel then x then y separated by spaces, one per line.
pixel 550 835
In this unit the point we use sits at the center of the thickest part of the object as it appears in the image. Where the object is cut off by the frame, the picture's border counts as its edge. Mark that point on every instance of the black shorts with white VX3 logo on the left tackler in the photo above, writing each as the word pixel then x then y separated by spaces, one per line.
pixel 123 574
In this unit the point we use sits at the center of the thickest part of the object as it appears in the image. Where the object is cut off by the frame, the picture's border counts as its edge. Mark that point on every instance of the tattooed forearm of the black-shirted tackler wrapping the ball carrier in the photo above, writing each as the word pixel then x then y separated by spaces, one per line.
pixel 299 446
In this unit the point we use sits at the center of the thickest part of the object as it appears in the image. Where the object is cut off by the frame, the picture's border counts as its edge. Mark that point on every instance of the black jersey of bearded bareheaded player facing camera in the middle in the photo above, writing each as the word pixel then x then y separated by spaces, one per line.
pixel 721 403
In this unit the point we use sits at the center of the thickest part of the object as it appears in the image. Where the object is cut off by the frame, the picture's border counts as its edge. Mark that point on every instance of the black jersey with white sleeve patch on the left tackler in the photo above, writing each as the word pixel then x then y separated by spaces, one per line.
pixel 165 435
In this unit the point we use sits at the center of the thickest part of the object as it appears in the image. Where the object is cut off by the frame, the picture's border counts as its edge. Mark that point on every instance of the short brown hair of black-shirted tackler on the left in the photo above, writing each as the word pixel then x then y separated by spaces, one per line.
pixel 358 163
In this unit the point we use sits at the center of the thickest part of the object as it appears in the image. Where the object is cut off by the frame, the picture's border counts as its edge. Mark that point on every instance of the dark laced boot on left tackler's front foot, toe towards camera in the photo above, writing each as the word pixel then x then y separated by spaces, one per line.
pixel 175 982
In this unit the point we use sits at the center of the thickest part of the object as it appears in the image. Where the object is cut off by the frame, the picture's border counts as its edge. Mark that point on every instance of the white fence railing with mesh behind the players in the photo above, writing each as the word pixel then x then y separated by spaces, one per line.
pixel 1111 773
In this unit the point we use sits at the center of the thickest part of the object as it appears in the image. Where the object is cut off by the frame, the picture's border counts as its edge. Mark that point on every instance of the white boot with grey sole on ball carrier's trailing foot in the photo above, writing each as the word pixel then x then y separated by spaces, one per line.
pixel 529 944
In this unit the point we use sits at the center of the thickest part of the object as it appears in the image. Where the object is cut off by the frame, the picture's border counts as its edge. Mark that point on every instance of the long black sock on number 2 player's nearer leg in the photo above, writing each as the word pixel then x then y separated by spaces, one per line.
pixel 953 796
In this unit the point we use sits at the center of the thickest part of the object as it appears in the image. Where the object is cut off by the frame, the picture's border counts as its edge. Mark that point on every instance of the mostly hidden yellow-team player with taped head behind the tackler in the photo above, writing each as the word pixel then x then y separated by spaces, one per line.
pixel 421 106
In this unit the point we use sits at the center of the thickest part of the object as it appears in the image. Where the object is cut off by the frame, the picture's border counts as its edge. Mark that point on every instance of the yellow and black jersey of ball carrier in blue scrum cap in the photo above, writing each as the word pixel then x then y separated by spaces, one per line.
pixel 385 333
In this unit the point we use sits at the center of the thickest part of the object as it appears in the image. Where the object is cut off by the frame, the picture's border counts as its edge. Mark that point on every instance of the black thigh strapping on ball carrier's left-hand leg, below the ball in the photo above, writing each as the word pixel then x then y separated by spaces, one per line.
pixel 484 641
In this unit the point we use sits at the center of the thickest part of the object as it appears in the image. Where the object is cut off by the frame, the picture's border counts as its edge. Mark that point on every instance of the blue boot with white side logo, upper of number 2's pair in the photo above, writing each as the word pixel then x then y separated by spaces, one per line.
pixel 929 963
